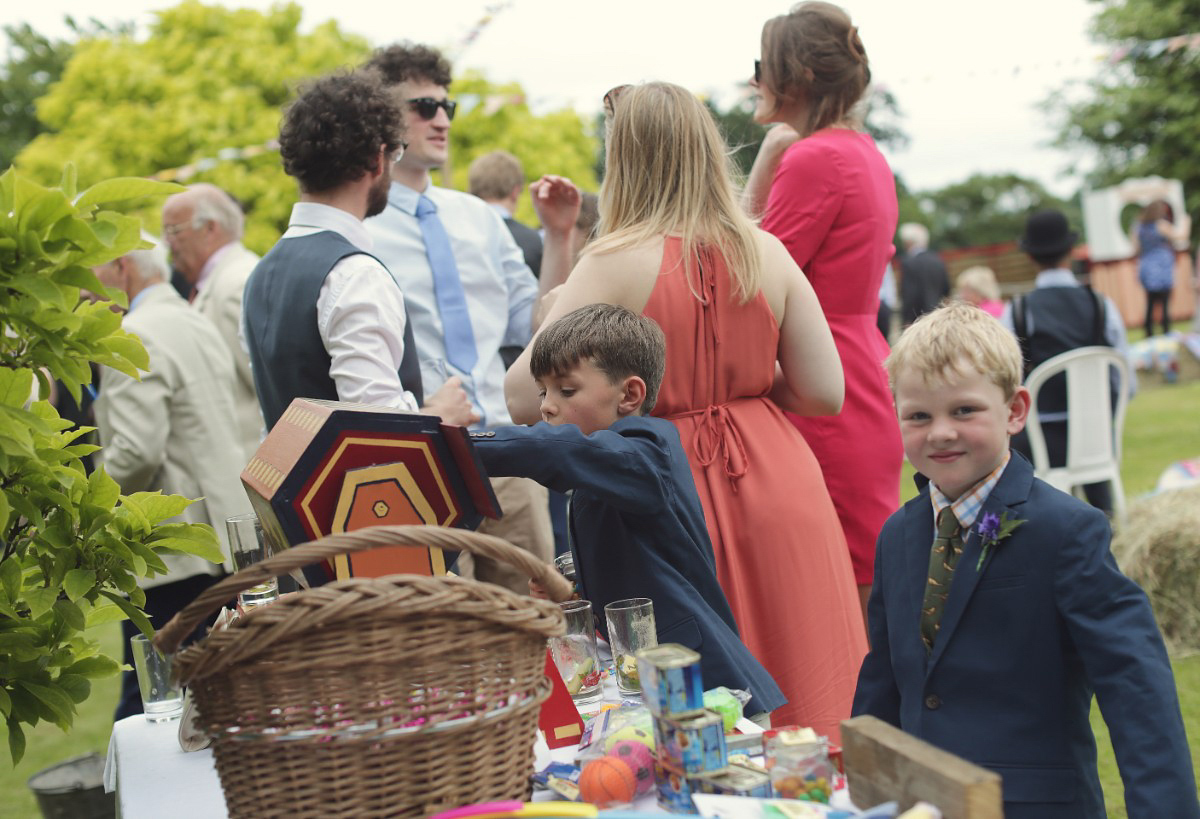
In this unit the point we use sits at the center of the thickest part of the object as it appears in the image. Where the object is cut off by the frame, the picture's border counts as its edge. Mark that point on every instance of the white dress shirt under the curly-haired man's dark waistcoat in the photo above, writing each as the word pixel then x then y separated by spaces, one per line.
pixel 362 326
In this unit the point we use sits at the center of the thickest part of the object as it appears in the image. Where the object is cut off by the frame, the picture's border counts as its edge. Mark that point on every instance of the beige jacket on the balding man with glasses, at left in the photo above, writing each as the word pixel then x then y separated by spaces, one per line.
pixel 220 301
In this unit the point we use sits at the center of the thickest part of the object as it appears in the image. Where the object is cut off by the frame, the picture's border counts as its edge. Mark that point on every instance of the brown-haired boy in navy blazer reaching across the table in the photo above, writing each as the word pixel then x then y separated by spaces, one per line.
pixel 637 524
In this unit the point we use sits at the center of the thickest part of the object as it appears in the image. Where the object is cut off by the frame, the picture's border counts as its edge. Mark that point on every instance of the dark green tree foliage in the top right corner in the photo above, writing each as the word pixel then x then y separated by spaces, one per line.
pixel 1142 117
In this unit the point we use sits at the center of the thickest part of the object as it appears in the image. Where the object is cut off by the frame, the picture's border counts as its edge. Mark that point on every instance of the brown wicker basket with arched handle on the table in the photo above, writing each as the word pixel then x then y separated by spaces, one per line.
pixel 373 697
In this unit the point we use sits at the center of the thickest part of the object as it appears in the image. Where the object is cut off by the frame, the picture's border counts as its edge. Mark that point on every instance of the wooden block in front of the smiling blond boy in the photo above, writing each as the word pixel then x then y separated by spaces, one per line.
pixel 885 764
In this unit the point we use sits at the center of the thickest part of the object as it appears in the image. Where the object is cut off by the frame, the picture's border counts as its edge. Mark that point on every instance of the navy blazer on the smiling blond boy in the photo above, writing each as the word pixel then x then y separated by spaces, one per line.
pixel 1023 645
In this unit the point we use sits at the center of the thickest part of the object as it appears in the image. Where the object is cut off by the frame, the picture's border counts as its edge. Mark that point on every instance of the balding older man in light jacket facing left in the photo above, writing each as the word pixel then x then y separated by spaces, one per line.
pixel 203 226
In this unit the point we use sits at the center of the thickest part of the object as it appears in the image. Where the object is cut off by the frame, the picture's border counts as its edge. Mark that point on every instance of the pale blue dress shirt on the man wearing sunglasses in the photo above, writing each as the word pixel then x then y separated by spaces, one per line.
pixel 500 288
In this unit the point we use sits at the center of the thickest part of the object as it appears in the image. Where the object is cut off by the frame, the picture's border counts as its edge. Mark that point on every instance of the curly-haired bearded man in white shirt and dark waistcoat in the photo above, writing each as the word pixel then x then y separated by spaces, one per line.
pixel 323 318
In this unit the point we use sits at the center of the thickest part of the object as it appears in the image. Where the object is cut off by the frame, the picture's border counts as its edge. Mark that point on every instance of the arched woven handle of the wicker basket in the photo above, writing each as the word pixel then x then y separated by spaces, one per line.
pixel 418 537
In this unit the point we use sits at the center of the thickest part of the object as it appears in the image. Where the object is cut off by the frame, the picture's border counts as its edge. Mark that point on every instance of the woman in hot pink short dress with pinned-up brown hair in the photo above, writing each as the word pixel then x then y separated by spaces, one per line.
pixel 823 187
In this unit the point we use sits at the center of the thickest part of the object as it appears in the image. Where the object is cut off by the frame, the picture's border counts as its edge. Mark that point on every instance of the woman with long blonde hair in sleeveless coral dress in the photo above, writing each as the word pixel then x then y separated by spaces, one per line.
pixel 745 338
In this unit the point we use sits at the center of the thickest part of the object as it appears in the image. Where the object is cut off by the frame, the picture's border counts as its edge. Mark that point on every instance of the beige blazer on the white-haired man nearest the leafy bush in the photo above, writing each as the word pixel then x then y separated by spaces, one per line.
pixel 176 429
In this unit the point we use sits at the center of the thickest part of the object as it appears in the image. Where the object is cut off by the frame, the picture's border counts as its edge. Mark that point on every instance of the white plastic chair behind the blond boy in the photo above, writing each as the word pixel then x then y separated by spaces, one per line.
pixel 1095 427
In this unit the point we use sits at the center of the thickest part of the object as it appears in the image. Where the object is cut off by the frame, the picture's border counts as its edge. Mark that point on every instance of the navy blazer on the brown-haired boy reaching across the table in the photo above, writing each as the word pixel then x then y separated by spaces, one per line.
pixel 638 530
